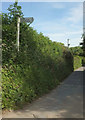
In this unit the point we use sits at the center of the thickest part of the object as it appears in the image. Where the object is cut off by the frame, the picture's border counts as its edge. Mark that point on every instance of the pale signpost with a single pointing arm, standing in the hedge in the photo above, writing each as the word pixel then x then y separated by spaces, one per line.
pixel 27 20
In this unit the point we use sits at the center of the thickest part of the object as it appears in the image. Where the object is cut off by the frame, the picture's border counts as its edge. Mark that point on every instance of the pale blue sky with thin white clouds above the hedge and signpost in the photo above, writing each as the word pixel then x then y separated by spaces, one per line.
pixel 57 20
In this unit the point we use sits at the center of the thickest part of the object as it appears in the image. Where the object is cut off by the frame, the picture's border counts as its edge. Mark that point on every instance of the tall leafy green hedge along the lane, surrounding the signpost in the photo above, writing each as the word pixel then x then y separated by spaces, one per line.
pixel 37 68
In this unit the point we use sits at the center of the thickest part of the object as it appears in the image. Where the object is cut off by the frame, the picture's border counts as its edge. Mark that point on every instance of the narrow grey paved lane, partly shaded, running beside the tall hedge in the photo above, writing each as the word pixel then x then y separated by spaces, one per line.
pixel 66 101
